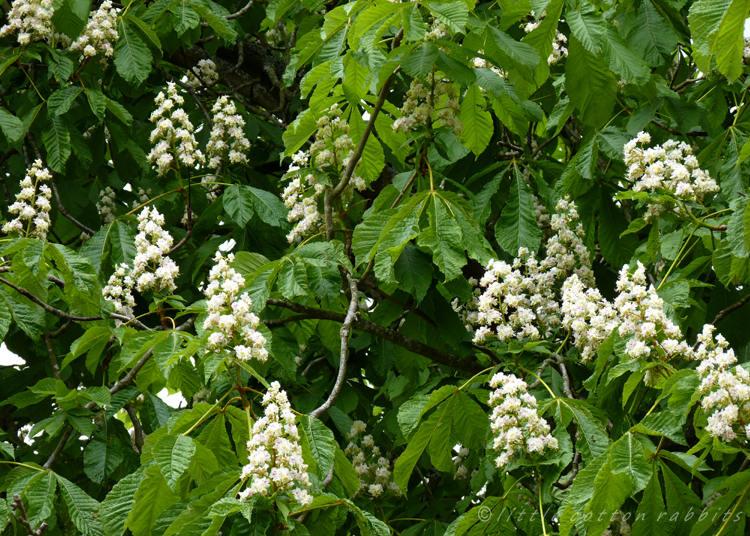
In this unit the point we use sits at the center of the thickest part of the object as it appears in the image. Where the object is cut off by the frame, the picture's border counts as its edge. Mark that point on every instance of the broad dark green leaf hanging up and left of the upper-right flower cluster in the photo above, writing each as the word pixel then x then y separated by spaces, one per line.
pixel 590 85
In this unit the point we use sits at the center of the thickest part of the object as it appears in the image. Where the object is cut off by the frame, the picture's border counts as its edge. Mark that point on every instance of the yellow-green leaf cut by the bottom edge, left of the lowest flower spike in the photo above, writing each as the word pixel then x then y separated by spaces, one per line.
pixel 153 496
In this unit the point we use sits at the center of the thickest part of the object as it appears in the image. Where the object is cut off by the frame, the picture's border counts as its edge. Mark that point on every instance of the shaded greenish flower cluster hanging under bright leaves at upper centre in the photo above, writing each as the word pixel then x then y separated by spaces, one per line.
pixel 437 99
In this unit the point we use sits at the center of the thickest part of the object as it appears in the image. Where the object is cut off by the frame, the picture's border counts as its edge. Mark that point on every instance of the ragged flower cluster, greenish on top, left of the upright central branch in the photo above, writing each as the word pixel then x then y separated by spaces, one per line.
pixel 328 155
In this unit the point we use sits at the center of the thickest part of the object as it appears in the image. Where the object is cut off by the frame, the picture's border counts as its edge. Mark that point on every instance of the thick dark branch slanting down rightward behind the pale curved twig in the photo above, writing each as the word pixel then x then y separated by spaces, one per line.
pixel 413 345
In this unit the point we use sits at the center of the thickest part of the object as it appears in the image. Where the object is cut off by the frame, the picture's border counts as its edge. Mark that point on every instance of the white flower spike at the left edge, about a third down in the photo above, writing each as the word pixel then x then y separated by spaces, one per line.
pixel 32 204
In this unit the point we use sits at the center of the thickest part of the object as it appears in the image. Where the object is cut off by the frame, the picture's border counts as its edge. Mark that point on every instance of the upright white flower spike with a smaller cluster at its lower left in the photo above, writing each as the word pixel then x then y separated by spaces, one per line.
pixel 152 268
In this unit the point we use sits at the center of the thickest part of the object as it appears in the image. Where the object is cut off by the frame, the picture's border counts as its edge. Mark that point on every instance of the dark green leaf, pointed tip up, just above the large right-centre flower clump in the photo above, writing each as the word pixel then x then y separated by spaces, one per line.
pixel 517 226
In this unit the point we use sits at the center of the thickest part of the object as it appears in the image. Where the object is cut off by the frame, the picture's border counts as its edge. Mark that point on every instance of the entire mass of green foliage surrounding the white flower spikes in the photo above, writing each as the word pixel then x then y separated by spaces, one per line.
pixel 87 441
